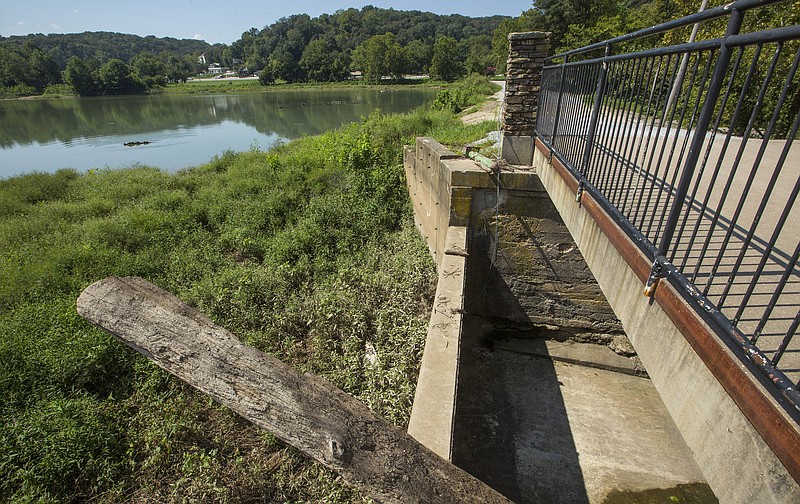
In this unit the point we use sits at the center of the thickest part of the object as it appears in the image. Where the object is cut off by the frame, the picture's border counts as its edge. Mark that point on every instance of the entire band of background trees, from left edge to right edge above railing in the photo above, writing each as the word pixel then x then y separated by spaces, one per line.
pixel 377 43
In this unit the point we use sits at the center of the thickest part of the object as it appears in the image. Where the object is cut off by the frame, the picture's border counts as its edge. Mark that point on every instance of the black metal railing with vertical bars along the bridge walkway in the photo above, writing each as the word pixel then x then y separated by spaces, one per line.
pixel 691 149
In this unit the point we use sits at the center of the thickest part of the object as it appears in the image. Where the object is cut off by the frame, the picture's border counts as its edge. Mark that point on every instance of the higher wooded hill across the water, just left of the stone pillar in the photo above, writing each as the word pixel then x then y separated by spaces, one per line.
pixel 376 42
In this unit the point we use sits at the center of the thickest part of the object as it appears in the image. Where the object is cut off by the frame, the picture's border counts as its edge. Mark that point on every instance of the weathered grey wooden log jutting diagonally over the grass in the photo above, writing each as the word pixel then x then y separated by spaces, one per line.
pixel 305 411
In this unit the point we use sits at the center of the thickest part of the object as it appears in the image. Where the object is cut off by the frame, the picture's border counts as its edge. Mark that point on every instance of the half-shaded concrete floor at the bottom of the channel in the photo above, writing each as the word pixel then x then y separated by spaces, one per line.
pixel 544 430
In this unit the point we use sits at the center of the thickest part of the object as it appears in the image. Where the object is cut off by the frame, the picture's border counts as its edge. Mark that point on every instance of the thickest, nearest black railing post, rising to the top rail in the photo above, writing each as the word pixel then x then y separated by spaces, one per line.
pixel 696 146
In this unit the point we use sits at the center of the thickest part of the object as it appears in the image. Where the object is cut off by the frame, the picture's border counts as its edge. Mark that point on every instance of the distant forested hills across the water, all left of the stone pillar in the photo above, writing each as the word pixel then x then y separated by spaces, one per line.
pixel 294 49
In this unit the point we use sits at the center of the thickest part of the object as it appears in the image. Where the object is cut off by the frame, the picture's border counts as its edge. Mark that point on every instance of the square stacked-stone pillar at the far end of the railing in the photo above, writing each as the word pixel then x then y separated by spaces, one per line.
pixel 526 54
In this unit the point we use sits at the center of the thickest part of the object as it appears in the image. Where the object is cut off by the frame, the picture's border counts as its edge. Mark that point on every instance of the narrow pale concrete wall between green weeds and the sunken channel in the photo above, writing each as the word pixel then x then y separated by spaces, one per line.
pixel 441 185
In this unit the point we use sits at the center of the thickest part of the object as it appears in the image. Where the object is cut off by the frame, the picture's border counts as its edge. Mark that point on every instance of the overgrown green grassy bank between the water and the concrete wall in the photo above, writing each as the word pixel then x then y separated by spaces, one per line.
pixel 306 251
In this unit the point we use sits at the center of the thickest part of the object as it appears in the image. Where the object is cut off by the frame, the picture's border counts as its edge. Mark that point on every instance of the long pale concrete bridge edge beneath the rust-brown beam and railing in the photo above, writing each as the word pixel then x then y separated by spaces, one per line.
pixel 714 427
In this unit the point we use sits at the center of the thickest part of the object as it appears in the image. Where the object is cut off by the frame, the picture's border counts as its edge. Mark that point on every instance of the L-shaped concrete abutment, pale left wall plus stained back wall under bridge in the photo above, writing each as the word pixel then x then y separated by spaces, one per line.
pixel 540 286
